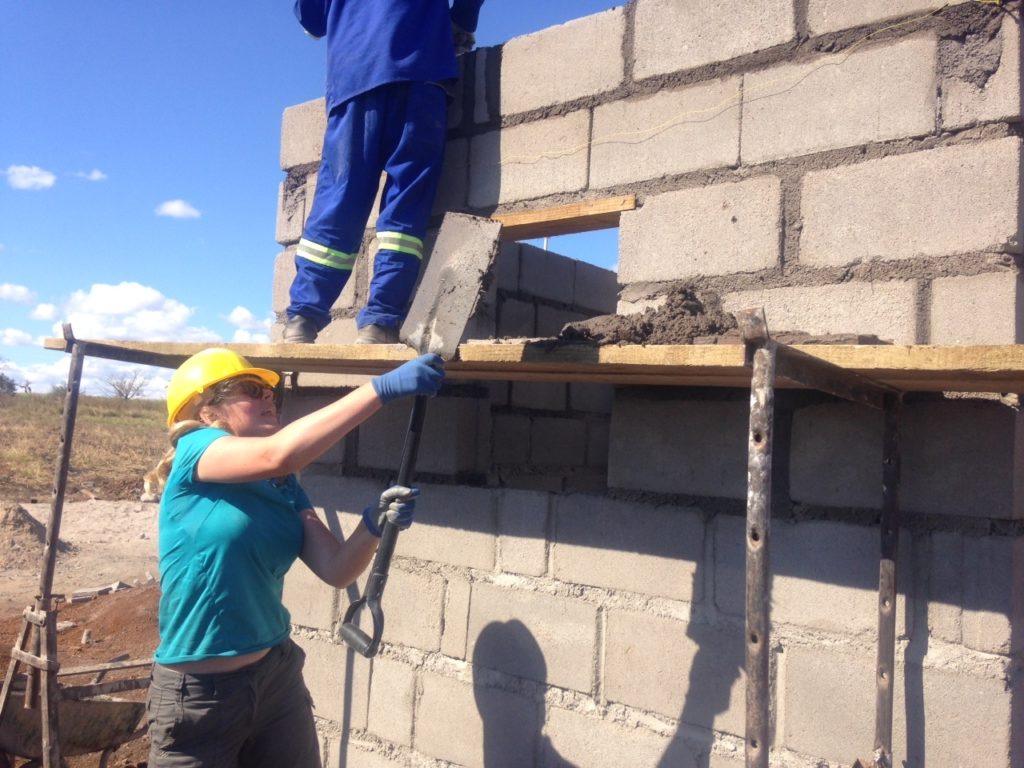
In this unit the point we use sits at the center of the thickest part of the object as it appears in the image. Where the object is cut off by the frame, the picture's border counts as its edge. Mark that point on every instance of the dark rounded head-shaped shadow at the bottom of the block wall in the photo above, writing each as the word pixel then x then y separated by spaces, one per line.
pixel 510 649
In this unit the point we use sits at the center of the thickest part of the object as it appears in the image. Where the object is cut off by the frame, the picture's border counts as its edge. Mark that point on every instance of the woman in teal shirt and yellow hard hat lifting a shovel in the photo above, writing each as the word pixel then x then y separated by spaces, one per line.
pixel 227 690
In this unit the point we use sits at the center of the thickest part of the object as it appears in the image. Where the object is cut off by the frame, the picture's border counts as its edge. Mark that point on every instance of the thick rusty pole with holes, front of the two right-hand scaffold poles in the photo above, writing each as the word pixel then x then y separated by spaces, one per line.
pixel 761 355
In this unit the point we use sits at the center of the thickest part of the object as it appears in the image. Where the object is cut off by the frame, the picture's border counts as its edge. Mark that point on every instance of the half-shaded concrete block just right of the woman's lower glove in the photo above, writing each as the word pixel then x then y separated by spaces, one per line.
pixel 455 526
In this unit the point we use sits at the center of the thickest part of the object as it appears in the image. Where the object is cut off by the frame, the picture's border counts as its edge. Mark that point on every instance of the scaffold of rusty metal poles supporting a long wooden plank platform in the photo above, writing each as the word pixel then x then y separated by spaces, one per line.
pixel 766 365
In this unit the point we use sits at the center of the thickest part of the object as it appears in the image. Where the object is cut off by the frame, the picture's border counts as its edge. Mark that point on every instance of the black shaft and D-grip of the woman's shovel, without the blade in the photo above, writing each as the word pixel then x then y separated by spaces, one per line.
pixel 356 638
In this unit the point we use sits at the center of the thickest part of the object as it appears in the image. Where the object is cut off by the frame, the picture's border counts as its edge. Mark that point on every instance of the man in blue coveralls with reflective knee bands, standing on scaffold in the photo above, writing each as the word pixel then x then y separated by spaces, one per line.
pixel 390 67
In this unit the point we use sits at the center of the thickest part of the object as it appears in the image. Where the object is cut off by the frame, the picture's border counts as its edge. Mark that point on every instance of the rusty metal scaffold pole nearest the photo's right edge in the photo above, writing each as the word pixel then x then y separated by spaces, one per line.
pixel 886 666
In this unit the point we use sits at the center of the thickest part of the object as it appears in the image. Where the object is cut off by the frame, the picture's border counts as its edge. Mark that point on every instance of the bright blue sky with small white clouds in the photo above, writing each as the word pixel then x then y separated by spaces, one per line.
pixel 140 167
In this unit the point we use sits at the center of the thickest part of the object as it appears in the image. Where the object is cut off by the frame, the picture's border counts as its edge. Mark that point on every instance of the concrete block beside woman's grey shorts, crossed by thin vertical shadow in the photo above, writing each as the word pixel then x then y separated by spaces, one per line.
pixel 338 680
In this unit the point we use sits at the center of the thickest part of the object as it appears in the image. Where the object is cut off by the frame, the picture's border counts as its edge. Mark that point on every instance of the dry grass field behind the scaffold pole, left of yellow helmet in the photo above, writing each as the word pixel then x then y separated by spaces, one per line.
pixel 115 443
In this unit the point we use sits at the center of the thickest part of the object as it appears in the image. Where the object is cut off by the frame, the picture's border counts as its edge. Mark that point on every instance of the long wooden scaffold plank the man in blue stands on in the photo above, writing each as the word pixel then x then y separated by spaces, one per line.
pixel 920 369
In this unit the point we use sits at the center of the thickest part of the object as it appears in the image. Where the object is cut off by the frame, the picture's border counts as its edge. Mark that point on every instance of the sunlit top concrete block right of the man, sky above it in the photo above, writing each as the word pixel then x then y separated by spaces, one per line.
pixel 583 58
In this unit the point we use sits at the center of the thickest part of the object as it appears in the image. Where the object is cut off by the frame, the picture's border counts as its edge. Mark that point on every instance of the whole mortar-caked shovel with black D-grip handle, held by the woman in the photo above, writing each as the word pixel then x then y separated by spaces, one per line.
pixel 452 286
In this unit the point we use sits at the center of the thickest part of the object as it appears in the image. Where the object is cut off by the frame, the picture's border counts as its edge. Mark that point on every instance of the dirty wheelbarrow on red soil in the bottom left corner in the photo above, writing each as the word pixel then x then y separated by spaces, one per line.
pixel 89 726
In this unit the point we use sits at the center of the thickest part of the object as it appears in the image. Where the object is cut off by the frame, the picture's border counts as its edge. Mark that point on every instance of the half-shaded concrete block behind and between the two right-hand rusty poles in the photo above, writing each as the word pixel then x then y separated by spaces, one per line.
pixel 825 575
